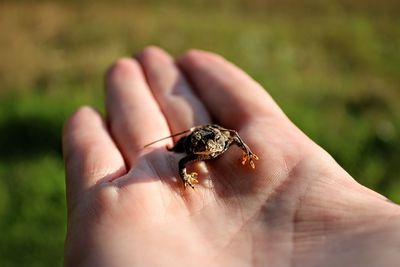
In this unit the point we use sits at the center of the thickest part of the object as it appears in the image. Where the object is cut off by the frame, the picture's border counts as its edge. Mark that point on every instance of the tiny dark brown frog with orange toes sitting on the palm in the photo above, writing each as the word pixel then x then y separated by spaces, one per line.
pixel 206 142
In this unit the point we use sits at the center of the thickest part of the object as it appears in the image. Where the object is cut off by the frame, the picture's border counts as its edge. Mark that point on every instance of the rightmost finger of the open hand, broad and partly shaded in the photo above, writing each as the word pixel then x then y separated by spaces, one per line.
pixel 231 96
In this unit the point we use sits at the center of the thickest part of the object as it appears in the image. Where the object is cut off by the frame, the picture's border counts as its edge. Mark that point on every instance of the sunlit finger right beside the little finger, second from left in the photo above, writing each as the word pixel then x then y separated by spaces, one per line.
pixel 134 115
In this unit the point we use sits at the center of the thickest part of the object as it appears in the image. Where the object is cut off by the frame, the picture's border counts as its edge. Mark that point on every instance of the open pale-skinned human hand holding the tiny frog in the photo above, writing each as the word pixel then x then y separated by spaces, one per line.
pixel 128 207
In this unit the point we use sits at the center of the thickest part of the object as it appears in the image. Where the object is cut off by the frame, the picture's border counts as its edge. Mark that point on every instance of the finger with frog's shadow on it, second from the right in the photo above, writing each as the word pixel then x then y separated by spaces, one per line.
pixel 180 105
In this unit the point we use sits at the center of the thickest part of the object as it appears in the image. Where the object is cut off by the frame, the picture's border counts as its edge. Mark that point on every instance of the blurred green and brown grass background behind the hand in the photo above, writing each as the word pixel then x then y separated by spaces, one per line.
pixel 333 66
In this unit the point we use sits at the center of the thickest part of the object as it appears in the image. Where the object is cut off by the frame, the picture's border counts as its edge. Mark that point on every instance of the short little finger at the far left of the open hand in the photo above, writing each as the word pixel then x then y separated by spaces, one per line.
pixel 89 152
